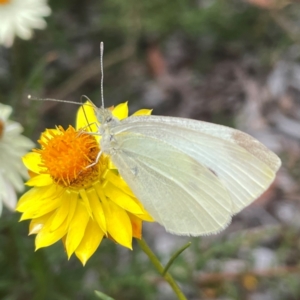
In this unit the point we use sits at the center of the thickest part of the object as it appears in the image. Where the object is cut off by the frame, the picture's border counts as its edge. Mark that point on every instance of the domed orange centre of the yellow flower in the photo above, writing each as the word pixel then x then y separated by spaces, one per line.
pixel 69 157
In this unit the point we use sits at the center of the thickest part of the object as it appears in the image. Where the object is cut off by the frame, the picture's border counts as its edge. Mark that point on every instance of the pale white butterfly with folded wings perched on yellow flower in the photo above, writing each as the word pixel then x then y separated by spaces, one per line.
pixel 191 176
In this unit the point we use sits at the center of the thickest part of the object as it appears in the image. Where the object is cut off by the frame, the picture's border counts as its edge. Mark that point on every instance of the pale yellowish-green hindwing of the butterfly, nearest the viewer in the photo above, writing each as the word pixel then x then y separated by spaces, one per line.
pixel 178 192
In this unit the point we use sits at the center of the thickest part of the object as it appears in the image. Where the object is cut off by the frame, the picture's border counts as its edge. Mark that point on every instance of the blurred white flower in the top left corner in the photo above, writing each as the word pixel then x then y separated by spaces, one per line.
pixel 20 17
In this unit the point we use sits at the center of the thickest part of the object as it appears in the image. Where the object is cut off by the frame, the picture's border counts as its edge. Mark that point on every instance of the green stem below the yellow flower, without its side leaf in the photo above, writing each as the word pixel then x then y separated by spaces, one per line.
pixel 159 267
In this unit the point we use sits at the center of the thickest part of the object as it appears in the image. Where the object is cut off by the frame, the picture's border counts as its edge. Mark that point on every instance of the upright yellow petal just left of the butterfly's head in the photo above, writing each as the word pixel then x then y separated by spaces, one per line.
pixel 86 118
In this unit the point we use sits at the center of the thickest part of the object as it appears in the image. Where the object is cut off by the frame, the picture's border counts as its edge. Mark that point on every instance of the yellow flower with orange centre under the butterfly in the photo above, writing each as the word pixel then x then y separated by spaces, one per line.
pixel 75 201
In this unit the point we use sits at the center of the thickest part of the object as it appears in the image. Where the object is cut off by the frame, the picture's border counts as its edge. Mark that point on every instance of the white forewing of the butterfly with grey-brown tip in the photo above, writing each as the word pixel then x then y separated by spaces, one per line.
pixel 244 166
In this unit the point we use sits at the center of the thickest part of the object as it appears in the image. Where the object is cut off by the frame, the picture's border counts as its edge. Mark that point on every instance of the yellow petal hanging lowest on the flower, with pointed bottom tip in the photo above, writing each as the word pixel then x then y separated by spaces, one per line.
pixel 92 238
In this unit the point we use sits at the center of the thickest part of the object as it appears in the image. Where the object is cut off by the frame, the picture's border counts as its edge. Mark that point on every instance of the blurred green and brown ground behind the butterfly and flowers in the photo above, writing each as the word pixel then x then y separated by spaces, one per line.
pixel 230 62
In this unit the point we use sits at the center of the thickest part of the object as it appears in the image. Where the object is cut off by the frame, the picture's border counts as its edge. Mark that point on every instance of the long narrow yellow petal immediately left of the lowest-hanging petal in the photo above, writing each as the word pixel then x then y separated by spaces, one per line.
pixel 76 228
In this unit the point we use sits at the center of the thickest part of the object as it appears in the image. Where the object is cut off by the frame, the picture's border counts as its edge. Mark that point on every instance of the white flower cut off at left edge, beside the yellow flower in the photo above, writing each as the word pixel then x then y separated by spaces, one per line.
pixel 13 146
